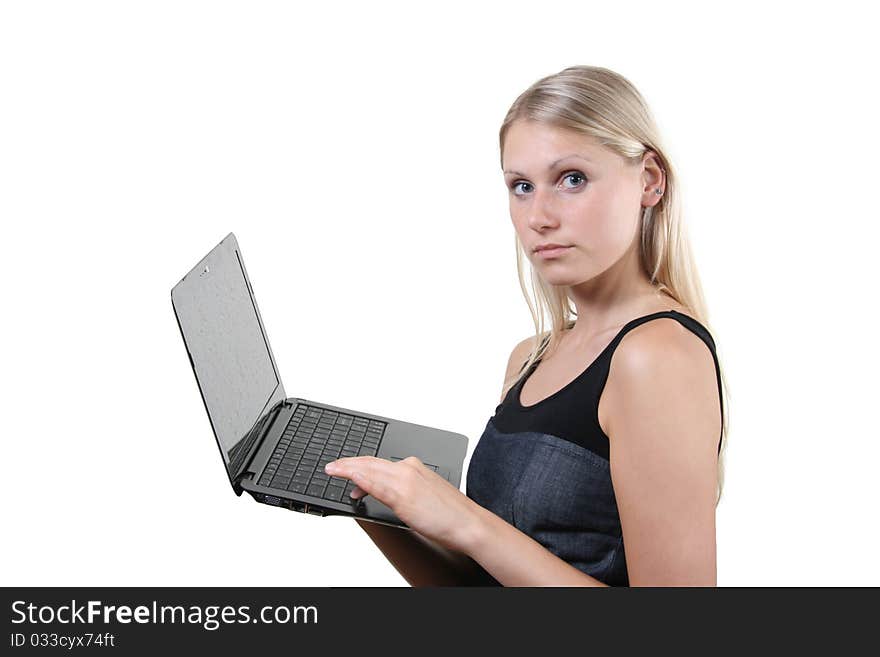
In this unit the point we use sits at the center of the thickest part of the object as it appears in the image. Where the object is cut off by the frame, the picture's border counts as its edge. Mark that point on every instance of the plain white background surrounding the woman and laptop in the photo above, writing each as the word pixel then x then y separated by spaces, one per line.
pixel 354 152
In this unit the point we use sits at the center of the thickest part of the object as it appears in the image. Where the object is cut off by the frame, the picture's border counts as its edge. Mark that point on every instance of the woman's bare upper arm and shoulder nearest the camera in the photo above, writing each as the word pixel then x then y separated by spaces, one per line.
pixel 663 428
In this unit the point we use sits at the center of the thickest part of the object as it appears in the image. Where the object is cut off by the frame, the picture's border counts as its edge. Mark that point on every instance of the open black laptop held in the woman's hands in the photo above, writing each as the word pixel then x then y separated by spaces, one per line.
pixel 275 447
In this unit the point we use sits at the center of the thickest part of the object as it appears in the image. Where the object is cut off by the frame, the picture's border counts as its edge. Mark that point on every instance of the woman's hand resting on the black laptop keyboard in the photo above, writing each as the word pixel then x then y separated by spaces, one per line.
pixel 419 496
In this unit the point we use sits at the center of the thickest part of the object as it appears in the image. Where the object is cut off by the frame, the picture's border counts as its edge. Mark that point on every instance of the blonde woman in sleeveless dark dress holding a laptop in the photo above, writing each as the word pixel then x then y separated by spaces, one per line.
pixel 610 426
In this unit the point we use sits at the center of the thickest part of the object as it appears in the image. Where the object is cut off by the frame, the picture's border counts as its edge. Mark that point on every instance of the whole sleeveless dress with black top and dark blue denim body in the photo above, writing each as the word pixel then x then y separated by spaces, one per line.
pixel 545 468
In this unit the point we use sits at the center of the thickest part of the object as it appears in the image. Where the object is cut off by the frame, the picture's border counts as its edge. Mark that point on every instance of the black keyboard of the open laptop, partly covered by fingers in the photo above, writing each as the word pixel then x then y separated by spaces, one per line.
pixel 314 437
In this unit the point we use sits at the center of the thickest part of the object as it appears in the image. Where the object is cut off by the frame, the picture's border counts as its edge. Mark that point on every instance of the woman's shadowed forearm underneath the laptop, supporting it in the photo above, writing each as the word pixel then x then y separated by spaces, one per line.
pixel 423 562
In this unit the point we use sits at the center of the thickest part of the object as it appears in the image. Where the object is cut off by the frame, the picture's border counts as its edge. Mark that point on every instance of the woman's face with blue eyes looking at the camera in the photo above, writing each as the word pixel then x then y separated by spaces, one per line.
pixel 565 188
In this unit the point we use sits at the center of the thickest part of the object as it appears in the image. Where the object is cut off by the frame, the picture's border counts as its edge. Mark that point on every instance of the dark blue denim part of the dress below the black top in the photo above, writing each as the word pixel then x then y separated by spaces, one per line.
pixel 557 492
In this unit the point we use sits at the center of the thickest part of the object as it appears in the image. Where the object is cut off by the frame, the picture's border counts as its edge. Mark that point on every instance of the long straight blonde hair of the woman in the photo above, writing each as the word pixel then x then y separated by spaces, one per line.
pixel 602 104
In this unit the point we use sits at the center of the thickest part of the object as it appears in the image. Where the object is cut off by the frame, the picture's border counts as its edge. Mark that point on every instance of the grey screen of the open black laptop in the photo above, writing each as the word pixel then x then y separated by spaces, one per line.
pixel 227 343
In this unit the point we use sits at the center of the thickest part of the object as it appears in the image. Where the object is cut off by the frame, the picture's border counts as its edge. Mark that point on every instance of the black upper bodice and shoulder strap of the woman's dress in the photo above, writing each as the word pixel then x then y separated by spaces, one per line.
pixel 573 412
